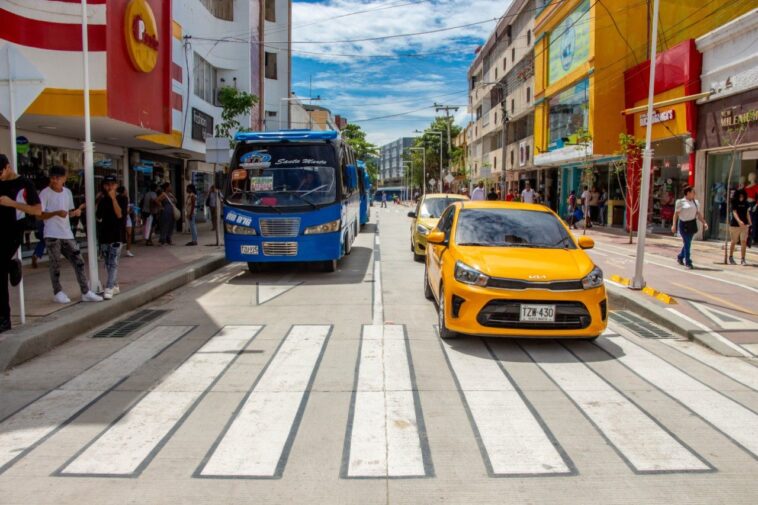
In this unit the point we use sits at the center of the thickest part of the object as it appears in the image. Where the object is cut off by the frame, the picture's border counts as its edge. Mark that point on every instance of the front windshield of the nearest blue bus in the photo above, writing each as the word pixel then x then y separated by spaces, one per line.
pixel 283 175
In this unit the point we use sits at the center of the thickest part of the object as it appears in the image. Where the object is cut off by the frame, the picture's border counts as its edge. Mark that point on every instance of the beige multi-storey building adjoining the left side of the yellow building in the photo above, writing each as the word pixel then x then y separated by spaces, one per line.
pixel 501 84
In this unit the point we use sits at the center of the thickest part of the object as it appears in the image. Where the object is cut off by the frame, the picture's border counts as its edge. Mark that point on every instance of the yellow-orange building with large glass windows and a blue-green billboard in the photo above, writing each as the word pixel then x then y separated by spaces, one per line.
pixel 582 49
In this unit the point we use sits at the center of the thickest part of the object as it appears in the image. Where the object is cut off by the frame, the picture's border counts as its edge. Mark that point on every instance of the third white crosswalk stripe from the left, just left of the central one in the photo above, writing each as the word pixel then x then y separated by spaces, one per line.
pixel 256 442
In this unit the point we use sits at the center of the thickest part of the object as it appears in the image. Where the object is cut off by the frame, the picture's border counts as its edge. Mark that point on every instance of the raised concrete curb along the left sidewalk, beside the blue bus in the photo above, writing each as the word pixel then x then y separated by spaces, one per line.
pixel 21 344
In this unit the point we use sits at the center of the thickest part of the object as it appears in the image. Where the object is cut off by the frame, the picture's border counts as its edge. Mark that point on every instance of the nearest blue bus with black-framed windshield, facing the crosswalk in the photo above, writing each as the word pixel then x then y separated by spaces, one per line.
pixel 291 196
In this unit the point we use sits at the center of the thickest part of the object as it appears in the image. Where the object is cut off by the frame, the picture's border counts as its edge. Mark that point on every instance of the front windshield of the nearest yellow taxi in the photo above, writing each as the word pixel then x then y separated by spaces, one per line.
pixel 511 228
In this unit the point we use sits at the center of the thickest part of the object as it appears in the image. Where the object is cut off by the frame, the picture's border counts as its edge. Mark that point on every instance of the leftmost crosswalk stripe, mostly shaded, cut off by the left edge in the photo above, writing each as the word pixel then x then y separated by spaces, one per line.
pixel 25 429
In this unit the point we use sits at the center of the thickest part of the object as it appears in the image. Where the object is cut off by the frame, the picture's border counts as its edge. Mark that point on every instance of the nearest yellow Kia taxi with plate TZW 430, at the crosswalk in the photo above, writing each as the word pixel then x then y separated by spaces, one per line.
pixel 512 269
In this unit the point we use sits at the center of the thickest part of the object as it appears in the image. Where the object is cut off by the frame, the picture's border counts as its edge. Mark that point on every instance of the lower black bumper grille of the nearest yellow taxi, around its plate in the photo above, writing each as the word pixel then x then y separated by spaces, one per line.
pixel 506 313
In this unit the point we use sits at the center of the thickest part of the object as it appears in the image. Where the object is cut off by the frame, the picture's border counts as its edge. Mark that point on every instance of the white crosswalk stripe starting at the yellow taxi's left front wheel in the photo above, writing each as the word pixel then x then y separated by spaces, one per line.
pixel 512 438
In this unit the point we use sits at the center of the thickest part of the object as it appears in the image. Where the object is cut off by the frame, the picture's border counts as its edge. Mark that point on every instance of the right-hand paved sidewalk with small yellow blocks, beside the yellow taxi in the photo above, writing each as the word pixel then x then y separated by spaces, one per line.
pixel 714 303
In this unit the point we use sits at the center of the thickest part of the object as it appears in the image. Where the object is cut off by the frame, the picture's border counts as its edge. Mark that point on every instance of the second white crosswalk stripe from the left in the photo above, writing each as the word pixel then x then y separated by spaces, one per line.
pixel 126 447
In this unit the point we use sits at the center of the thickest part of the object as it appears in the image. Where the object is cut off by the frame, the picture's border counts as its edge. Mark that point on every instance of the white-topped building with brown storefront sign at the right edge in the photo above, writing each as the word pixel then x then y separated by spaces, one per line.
pixel 727 136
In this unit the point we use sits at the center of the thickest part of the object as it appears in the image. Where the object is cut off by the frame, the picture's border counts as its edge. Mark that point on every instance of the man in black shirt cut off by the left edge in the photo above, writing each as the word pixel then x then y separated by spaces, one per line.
pixel 17 198
